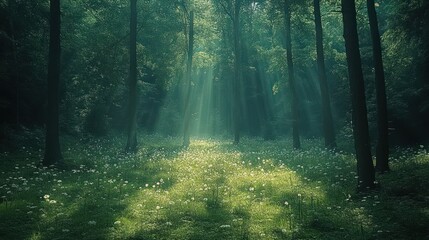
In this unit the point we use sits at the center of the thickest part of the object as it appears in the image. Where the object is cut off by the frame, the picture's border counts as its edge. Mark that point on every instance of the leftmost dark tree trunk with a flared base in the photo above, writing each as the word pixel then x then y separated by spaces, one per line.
pixel 52 142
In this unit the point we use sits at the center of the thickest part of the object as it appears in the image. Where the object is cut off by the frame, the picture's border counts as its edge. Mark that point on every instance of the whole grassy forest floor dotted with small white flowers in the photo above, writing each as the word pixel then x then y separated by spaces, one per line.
pixel 213 190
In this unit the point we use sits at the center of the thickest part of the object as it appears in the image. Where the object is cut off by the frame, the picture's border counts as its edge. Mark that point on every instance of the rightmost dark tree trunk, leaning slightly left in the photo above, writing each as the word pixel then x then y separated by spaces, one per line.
pixel 382 154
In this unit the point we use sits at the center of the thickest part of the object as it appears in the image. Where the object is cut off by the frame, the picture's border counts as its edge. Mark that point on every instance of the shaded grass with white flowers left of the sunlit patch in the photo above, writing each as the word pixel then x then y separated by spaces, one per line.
pixel 84 199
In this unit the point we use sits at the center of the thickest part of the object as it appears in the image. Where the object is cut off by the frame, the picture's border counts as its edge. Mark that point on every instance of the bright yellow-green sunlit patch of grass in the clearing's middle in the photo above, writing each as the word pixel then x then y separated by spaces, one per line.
pixel 212 177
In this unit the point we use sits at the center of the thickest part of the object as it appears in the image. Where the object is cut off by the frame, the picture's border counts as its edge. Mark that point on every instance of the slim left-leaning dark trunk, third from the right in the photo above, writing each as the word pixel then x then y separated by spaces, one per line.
pixel 328 125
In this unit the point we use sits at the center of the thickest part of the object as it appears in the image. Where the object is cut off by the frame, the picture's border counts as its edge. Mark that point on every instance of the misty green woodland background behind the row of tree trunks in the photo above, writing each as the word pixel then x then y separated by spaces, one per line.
pixel 95 68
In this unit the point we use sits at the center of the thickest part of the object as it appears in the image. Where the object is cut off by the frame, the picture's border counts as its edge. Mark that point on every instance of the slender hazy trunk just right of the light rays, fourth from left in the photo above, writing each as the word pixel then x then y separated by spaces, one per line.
pixel 237 73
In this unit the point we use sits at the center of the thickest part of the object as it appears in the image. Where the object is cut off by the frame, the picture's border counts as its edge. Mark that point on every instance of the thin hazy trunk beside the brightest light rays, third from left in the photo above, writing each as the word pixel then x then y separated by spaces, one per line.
pixel 187 116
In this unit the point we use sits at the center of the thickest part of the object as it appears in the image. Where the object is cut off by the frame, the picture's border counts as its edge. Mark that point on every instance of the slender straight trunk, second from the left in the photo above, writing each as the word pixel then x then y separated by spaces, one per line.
pixel 132 101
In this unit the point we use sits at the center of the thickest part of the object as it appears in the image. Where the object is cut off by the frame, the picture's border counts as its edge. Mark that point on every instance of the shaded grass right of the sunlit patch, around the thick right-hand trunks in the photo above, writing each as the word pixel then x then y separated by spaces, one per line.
pixel 398 210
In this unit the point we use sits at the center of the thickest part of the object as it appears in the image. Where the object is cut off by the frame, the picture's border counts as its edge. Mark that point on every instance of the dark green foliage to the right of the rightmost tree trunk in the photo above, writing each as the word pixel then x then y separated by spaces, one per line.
pixel 406 67
